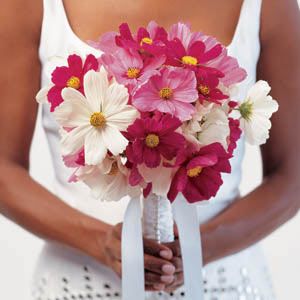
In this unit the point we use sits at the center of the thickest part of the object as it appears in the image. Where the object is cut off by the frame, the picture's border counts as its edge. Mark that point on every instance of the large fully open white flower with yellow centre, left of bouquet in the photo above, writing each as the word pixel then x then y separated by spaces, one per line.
pixel 96 119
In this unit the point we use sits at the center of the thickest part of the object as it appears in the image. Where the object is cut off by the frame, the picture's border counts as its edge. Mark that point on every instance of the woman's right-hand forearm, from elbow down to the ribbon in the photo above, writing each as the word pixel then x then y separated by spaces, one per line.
pixel 251 218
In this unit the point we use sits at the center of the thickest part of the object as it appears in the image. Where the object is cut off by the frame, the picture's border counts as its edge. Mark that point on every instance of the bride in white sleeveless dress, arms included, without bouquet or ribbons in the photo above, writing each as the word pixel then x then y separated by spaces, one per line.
pixel 81 258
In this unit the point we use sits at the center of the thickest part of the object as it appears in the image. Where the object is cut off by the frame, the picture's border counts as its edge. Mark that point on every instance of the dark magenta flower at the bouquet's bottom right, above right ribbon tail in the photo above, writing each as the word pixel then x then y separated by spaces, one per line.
pixel 199 175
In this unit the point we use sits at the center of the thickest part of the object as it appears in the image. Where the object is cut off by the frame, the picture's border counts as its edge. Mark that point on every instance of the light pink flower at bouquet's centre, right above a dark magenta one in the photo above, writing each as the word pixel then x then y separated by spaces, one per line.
pixel 172 92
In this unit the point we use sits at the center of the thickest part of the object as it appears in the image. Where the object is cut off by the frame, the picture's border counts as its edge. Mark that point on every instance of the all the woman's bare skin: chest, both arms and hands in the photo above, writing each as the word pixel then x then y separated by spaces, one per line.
pixel 245 222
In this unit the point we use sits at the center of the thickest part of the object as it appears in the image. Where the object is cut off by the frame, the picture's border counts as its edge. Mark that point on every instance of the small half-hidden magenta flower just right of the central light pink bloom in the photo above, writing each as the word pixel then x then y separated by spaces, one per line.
pixel 207 85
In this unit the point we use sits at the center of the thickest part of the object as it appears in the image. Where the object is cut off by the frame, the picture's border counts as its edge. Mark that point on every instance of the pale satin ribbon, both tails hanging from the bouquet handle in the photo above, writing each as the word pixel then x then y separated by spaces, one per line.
pixel 186 217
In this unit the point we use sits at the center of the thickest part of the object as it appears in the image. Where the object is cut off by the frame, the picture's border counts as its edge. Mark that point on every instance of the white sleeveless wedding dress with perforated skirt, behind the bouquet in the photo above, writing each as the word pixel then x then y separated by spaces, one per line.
pixel 65 274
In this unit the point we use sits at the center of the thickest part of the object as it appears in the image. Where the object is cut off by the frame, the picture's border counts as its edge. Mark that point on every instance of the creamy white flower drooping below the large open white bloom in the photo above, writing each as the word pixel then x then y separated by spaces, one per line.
pixel 108 181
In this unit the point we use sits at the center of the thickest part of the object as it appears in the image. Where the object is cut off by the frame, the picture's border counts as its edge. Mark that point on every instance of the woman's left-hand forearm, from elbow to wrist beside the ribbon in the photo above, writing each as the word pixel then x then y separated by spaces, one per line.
pixel 33 207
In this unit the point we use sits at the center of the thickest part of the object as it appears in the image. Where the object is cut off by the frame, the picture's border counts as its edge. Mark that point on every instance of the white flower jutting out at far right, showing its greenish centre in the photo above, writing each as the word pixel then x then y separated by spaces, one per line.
pixel 255 113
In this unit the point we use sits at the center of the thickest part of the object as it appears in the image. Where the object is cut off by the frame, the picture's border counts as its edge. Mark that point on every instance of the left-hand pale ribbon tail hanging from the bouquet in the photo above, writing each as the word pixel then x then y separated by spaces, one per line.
pixel 133 282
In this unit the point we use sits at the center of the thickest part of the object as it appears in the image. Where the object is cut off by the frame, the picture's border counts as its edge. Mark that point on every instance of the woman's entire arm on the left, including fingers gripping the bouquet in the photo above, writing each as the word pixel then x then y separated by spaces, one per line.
pixel 21 198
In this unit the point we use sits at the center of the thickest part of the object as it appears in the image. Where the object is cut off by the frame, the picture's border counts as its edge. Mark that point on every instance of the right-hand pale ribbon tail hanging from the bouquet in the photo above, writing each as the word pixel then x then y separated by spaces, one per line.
pixel 186 218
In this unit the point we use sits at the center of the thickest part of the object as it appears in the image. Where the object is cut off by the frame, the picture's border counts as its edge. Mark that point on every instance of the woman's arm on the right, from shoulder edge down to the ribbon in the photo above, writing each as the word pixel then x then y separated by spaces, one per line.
pixel 276 200
